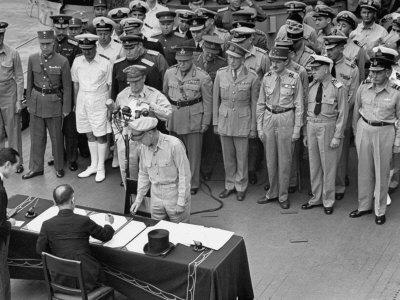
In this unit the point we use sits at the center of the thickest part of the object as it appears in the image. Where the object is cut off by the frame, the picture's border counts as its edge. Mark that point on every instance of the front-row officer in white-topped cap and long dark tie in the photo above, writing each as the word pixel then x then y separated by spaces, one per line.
pixel 327 113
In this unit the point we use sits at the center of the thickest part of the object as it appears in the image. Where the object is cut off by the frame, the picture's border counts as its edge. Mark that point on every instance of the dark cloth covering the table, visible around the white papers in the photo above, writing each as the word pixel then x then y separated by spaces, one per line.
pixel 183 274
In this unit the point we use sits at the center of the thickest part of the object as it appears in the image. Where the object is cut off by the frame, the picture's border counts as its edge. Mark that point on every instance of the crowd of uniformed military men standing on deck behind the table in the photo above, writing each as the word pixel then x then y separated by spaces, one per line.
pixel 210 80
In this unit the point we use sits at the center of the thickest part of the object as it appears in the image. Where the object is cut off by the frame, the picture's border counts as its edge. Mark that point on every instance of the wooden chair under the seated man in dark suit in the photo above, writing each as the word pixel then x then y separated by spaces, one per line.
pixel 72 268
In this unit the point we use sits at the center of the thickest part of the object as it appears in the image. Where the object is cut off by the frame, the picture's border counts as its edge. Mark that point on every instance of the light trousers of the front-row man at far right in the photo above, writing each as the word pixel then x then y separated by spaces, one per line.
pixel 374 148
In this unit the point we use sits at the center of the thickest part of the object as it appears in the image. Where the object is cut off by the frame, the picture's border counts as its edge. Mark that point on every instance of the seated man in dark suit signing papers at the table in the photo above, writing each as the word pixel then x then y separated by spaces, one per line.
pixel 67 236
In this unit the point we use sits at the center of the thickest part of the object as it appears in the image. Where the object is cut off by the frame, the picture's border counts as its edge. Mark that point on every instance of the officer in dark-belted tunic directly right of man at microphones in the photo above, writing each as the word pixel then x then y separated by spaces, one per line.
pixel 189 89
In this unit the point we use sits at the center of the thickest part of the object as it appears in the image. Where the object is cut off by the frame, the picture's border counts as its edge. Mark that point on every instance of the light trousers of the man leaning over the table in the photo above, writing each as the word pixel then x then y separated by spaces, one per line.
pixel 163 203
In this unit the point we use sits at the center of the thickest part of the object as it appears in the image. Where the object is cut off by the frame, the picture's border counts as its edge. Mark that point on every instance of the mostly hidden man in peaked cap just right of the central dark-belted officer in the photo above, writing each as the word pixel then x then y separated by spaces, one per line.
pixel 209 61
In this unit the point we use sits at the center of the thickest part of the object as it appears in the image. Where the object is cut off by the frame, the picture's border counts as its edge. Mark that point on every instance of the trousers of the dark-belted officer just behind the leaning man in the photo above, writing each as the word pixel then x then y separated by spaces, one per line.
pixel 193 143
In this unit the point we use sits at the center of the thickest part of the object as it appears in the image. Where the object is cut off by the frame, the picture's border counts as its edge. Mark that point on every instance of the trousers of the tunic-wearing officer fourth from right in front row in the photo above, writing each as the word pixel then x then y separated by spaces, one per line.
pixel 235 154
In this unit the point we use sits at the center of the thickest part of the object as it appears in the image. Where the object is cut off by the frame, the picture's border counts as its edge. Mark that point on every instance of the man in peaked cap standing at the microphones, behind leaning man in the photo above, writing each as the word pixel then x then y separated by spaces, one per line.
pixel 142 100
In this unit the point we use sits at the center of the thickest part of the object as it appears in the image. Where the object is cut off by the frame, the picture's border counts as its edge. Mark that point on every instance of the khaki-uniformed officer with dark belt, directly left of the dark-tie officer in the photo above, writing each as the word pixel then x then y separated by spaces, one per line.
pixel 279 119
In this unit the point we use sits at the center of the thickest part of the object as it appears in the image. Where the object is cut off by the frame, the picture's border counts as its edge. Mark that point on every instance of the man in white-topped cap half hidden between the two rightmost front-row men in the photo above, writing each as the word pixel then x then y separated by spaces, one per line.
pixel 347 73
